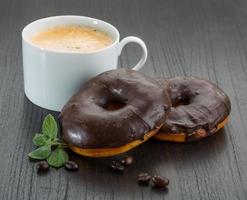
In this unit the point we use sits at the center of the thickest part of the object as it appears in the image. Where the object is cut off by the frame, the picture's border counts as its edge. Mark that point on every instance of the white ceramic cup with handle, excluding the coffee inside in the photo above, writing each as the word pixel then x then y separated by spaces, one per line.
pixel 52 77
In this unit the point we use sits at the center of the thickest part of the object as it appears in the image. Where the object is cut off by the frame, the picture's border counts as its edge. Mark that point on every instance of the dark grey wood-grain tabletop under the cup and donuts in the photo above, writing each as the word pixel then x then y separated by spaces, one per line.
pixel 184 37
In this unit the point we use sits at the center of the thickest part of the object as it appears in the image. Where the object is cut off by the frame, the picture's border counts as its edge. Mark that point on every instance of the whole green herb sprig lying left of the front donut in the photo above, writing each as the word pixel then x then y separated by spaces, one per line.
pixel 46 141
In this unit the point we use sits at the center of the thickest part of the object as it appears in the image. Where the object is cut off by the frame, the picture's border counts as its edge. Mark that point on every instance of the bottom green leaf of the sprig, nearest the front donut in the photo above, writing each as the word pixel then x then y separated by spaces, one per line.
pixel 58 157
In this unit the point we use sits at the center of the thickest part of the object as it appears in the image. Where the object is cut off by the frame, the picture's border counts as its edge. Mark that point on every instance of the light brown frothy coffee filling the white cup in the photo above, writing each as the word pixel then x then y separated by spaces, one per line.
pixel 71 39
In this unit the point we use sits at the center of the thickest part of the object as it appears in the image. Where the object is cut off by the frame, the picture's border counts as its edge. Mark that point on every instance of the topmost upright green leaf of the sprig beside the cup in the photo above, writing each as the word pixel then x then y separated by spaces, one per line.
pixel 49 127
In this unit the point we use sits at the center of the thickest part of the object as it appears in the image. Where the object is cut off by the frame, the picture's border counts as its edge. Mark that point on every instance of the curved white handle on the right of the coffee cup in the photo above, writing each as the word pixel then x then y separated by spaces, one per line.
pixel 137 40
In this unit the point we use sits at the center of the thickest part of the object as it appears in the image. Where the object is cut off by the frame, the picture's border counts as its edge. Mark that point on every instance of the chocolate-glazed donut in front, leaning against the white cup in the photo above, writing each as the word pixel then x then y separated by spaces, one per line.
pixel 114 112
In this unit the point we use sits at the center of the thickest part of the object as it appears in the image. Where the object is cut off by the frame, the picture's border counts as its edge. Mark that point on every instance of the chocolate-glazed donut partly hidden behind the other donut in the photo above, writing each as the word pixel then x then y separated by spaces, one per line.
pixel 199 109
